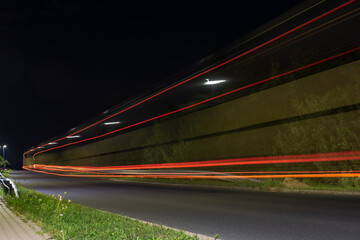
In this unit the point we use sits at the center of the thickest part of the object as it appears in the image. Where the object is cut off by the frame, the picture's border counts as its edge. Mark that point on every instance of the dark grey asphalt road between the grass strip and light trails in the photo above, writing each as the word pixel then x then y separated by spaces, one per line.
pixel 231 214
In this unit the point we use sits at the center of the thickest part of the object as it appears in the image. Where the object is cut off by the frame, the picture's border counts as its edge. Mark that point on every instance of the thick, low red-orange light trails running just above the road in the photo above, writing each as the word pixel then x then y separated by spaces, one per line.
pixel 304 158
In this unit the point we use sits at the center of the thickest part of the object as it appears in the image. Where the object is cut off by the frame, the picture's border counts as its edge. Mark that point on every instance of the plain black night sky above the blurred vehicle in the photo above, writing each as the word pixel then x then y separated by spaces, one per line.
pixel 64 61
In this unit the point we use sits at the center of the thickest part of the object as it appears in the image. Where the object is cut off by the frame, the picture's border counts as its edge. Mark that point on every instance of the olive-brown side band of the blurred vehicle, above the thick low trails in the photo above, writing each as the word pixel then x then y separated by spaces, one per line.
pixel 260 124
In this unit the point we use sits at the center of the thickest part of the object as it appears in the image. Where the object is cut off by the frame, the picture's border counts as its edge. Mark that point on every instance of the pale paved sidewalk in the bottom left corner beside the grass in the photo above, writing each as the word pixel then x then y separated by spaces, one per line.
pixel 13 228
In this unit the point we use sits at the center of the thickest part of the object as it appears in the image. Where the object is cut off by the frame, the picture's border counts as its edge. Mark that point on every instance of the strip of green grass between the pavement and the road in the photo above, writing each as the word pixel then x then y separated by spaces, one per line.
pixel 65 220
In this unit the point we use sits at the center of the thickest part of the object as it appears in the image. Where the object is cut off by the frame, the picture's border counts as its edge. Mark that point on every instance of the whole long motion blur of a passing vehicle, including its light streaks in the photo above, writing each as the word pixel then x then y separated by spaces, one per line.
pixel 282 101
